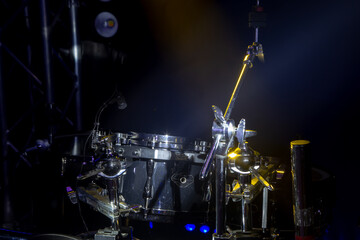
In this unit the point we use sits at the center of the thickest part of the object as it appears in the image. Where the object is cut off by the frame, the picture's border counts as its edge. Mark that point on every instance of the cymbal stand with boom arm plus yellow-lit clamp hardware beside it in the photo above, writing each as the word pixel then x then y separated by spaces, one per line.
pixel 243 160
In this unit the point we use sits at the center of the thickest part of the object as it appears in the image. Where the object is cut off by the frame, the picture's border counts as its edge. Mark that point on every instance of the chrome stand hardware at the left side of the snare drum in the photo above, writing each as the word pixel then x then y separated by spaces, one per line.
pixel 108 201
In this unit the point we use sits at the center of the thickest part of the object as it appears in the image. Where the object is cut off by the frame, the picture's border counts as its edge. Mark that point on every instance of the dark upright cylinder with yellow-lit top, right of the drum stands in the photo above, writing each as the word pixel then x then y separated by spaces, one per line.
pixel 302 196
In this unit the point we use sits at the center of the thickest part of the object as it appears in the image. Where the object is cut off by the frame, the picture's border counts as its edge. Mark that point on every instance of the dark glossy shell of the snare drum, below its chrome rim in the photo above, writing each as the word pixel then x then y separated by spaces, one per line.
pixel 176 188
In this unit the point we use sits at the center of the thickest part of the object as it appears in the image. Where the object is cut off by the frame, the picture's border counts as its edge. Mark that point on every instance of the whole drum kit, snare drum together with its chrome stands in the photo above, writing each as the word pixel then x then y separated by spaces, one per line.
pixel 163 178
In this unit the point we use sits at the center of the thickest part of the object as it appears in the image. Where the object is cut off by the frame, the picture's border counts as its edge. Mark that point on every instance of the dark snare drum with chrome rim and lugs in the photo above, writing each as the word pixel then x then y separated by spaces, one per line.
pixel 165 170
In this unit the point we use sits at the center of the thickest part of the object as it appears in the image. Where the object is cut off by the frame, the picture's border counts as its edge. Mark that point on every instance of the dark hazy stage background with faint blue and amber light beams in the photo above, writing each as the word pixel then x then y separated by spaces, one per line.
pixel 181 57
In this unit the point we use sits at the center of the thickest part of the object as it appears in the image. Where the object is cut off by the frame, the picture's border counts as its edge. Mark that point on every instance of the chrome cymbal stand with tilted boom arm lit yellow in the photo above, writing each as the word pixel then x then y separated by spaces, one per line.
pixel 223 132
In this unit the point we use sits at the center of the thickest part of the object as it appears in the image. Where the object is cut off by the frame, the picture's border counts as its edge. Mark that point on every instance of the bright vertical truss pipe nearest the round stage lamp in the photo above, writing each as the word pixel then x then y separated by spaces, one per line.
pixel 76 54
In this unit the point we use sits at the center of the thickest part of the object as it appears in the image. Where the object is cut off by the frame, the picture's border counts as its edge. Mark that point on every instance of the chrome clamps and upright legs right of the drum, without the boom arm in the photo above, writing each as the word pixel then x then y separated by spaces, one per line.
pixel 244 161
